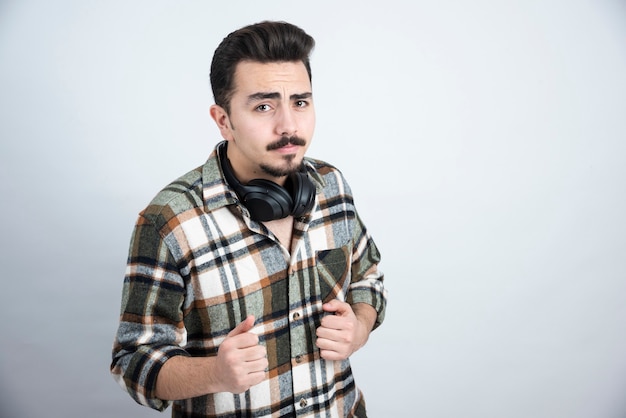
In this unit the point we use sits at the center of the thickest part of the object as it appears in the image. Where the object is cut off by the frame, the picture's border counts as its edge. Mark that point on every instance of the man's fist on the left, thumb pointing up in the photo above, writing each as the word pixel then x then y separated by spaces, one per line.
pixel 241 361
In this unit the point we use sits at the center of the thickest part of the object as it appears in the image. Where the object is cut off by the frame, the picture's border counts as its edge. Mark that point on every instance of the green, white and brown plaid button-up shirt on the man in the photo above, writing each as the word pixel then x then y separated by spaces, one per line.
pixel 198 266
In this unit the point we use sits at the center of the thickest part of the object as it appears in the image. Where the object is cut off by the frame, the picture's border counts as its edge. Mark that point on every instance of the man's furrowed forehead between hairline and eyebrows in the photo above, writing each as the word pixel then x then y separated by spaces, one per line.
pixel 253 77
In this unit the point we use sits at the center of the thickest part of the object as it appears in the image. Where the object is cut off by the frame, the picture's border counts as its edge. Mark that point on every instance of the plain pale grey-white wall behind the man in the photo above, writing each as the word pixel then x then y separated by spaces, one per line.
pixel 484 141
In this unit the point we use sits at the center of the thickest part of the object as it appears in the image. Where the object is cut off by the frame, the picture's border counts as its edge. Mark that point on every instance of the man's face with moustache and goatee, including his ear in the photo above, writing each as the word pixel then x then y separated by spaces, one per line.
pixel 271 103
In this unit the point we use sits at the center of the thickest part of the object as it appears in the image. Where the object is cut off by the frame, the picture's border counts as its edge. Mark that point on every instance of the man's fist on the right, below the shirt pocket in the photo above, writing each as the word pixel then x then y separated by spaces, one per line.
pixel 346 331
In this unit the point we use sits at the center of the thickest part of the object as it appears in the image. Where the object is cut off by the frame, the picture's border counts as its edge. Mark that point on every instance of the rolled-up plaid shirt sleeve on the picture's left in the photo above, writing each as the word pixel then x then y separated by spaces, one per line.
pixel 151 325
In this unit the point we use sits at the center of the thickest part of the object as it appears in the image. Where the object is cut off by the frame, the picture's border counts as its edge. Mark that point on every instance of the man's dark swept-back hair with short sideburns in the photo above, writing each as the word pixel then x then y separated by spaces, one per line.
pixel 261 42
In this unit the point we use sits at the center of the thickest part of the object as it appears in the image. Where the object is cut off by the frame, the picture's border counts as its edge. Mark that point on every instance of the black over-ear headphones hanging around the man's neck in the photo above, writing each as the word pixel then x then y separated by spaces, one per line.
pixel 267 200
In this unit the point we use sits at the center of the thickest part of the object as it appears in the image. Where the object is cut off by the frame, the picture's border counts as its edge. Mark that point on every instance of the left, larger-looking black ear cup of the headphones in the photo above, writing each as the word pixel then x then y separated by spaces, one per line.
pixel 267 200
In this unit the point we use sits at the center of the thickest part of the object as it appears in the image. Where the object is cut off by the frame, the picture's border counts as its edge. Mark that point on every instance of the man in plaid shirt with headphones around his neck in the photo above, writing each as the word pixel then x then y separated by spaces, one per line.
pixel 251 279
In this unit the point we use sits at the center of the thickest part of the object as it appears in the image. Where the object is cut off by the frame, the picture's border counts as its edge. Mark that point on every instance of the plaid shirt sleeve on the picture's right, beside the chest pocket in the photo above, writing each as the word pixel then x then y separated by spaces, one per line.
pixel 366 284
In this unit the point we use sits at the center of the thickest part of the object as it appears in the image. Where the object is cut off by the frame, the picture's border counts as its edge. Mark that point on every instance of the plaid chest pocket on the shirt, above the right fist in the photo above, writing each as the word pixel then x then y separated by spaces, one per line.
pixel 333 268
